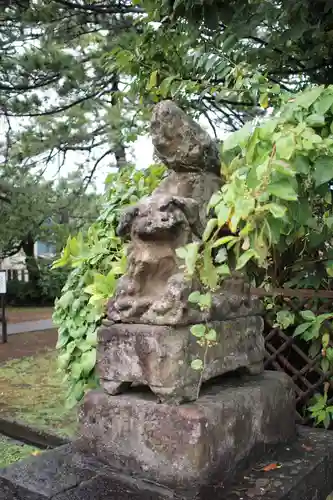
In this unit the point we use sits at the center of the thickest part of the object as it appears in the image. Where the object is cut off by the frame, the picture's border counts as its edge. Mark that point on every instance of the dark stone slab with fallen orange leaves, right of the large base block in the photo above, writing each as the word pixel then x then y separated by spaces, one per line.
pixel 305 471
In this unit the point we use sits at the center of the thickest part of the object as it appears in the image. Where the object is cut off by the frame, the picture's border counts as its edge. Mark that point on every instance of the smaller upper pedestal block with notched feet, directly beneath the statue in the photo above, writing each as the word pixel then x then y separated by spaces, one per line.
pixel 160 356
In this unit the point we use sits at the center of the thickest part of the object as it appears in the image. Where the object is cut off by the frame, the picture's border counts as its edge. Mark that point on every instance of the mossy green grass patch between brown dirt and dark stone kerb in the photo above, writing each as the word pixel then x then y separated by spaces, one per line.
pixel 32 392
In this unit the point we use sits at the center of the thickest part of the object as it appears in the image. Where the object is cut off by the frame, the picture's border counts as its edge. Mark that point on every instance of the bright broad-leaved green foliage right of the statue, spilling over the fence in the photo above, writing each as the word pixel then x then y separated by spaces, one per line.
pixel 277 202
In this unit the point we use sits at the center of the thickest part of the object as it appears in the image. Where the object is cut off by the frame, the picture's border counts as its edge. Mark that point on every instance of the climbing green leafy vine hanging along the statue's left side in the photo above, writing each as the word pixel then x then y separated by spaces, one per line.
pixel 97 258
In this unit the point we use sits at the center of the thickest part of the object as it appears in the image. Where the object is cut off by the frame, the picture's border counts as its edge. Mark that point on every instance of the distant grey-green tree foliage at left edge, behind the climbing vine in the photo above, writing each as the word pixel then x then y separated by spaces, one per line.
pixel 36 209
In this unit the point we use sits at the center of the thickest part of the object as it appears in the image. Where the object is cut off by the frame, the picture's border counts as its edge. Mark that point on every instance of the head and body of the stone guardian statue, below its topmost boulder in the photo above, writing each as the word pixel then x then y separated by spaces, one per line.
pixel 154 289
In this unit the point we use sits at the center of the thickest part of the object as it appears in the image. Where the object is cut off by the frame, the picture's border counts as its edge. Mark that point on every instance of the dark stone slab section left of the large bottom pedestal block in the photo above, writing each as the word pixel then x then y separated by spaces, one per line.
pixel 63 474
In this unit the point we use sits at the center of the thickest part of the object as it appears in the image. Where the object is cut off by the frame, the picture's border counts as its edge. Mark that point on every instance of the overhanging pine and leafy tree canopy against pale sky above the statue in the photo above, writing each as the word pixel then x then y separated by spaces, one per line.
pixel 81 76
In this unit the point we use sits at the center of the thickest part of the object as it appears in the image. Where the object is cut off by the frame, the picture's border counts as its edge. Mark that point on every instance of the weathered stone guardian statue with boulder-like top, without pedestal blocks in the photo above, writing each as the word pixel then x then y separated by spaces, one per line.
pixel 154 289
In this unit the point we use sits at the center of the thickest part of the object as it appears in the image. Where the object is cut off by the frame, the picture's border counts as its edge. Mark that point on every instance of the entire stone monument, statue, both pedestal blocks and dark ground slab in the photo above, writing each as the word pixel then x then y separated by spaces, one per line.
pixel 157 429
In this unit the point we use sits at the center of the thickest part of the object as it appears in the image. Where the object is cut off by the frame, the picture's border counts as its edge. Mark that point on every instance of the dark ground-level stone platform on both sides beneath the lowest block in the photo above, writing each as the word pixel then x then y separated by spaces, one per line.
pixel 305 473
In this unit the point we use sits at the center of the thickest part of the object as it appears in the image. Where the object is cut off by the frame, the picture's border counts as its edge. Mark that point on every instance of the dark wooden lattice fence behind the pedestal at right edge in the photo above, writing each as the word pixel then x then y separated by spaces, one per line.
pixel 290 354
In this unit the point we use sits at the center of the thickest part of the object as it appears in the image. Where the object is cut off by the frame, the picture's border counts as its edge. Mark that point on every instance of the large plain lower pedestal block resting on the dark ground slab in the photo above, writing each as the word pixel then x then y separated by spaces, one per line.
pixel 185 447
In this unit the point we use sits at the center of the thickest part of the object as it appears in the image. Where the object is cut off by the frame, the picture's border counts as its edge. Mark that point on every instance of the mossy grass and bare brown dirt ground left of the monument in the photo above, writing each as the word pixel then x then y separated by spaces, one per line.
pixel 31 388
